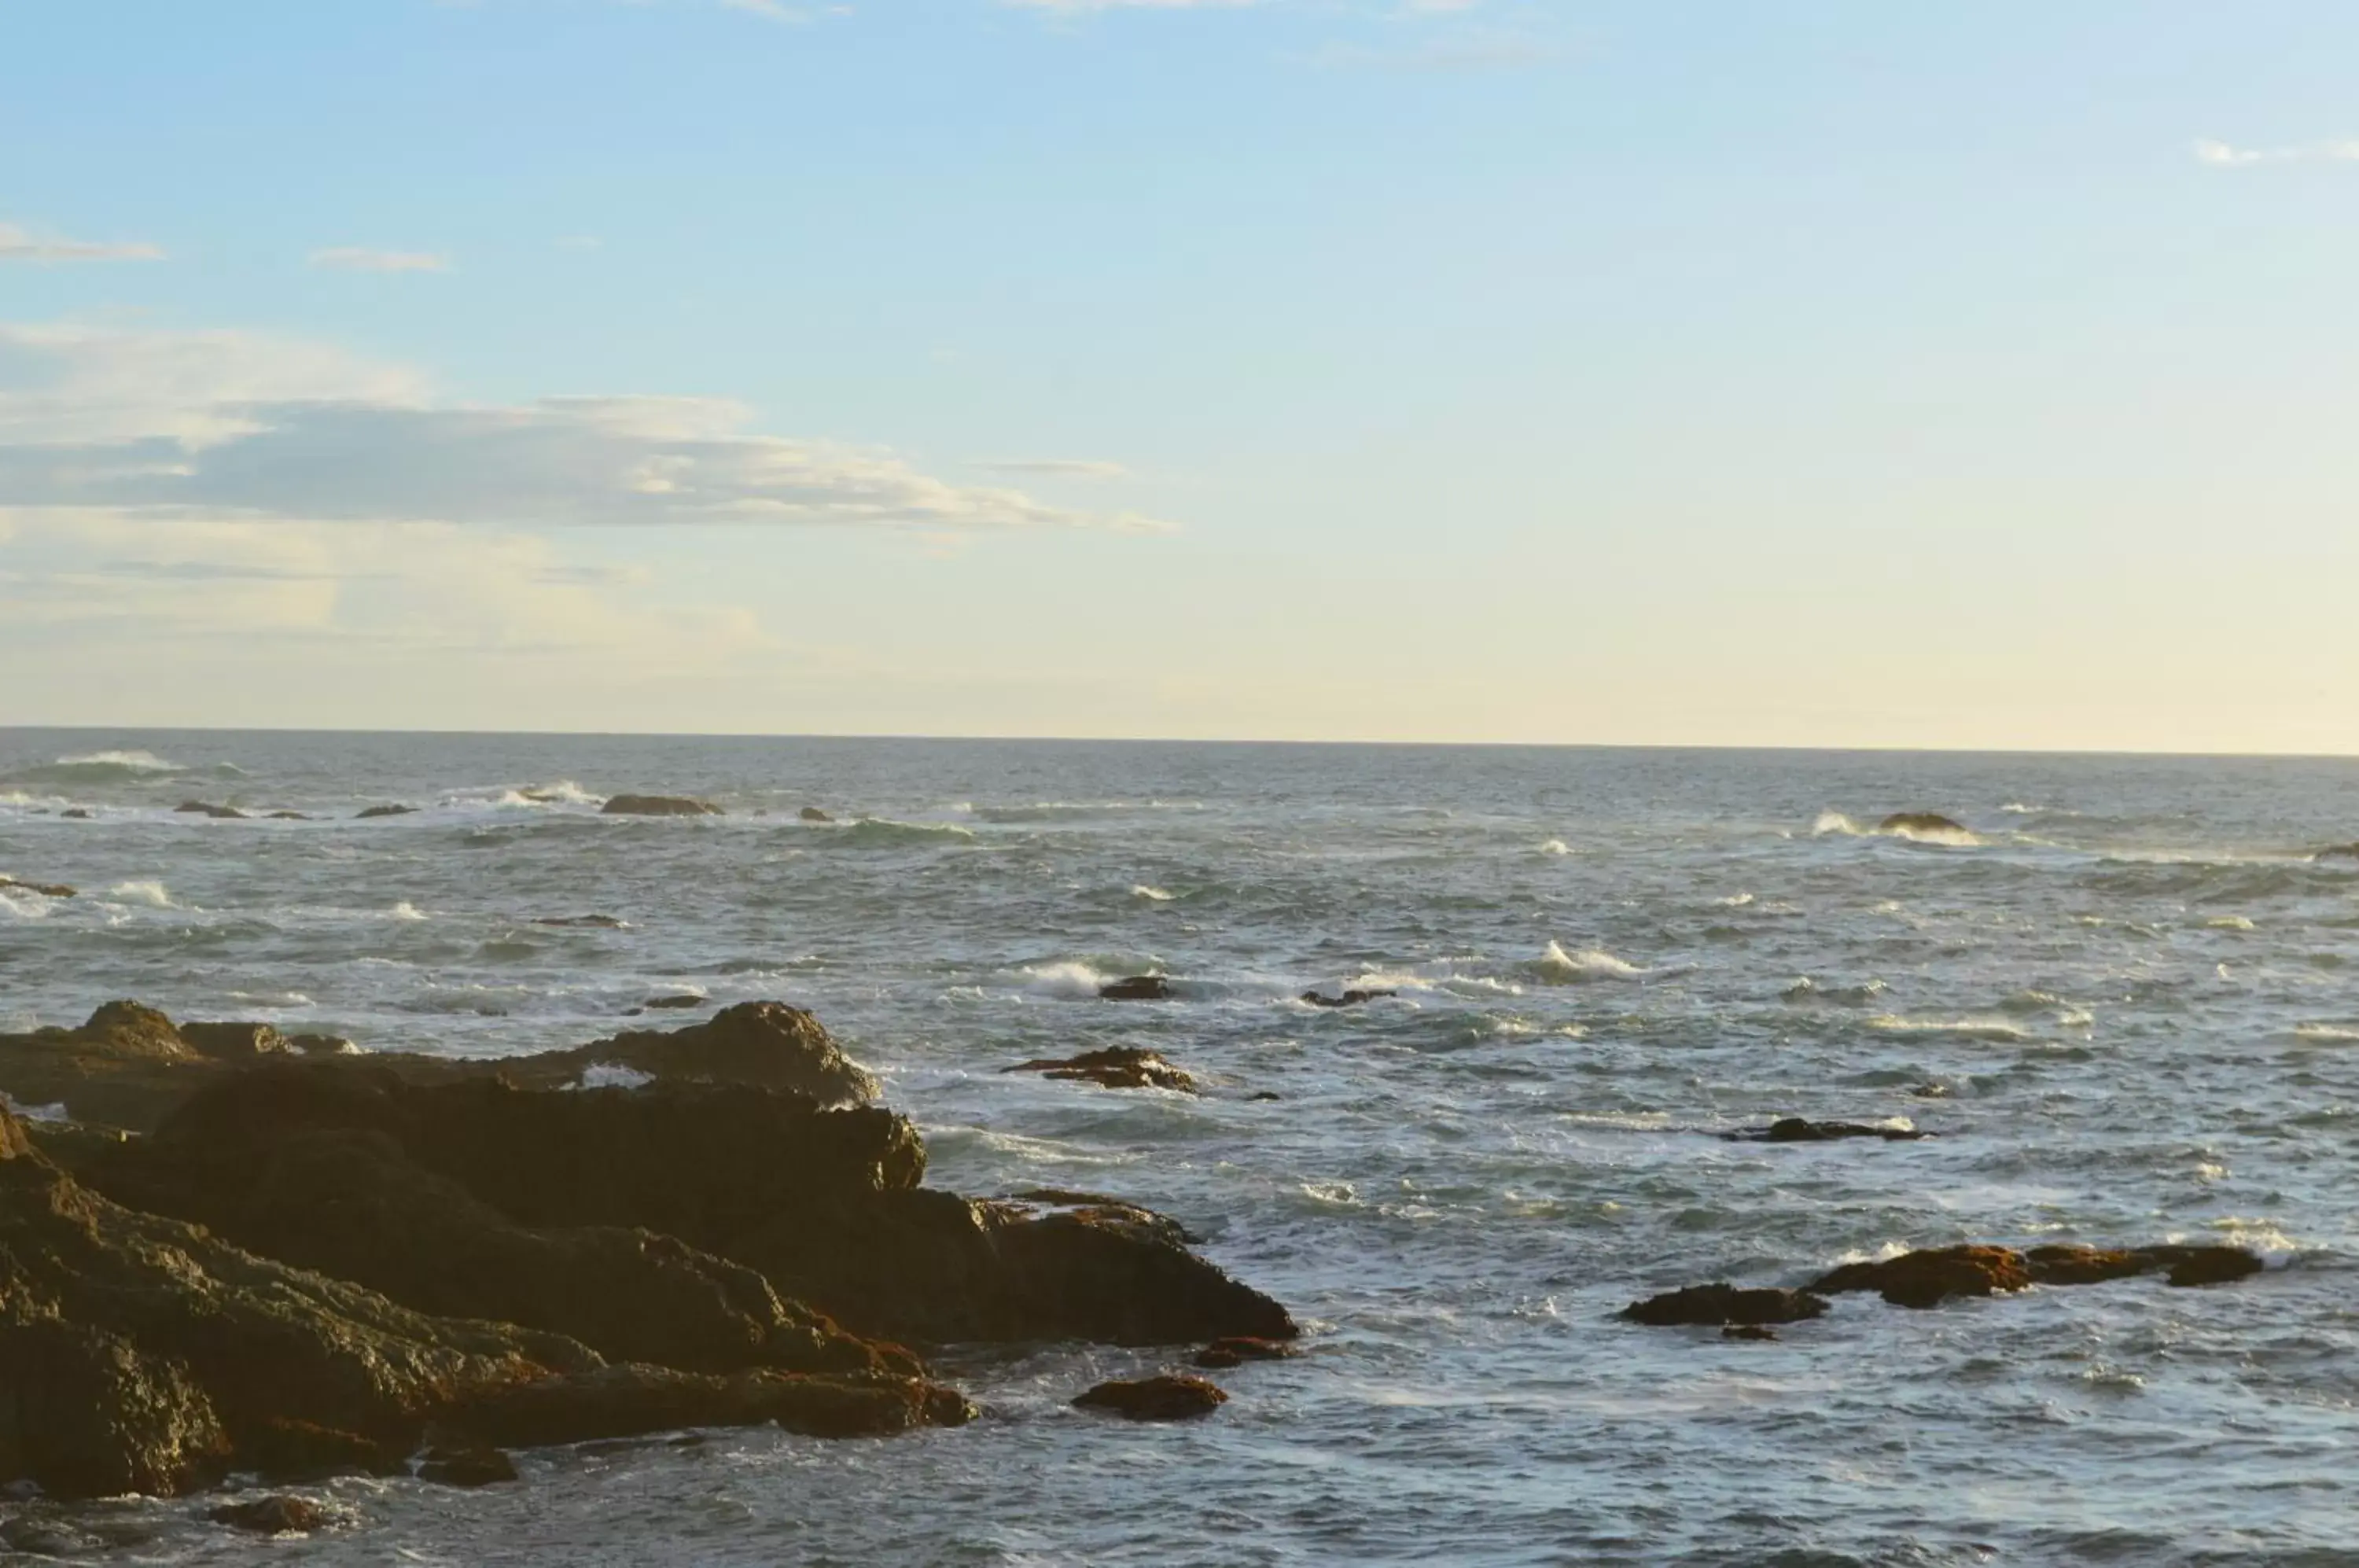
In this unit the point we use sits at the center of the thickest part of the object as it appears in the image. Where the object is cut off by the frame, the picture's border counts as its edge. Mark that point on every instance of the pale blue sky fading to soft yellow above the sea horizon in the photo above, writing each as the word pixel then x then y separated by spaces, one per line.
pixel 1530 371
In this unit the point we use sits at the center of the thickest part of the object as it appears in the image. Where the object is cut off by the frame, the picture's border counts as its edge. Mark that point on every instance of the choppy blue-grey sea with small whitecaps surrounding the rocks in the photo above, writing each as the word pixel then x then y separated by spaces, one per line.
pixel 2134 991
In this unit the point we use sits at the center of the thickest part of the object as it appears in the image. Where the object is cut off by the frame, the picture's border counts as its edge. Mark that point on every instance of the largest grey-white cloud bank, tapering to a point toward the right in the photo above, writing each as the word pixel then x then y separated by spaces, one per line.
pixel 230 428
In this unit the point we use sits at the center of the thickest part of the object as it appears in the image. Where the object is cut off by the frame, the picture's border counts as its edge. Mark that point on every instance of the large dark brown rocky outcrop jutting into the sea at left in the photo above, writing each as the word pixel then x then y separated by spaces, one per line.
pixel 235 1253
